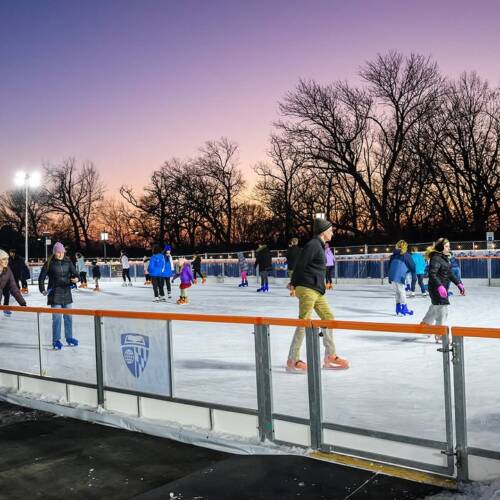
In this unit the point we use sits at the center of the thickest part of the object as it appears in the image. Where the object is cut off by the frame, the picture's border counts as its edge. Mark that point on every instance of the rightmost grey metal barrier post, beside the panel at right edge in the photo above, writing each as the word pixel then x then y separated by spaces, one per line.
pixel 460 408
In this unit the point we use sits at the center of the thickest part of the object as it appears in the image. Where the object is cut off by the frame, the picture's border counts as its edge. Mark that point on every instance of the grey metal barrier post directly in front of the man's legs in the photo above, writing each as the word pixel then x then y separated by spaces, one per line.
pixel 314 387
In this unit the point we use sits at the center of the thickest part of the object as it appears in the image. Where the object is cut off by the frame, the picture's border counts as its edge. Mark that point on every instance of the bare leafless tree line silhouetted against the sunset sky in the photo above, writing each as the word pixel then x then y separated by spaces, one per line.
pixel 405 153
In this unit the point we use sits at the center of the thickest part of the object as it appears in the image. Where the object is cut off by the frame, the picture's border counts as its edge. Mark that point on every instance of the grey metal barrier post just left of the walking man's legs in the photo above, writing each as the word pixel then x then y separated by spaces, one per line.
pixel 263 373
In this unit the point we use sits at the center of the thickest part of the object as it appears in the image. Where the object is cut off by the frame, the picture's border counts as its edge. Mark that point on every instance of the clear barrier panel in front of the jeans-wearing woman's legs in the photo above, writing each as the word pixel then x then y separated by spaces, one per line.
pixel 71 363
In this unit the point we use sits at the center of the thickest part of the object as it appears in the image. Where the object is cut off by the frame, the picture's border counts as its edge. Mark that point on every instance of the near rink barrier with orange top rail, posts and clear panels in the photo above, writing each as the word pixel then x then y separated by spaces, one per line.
pixel 429 432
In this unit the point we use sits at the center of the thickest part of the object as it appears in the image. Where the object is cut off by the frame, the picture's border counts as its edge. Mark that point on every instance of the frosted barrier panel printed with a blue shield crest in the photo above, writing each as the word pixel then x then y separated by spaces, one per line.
pixel 136 355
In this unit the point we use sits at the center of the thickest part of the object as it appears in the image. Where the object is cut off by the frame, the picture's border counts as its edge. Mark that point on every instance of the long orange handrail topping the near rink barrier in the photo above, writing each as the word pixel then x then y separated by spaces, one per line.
pixel 266 320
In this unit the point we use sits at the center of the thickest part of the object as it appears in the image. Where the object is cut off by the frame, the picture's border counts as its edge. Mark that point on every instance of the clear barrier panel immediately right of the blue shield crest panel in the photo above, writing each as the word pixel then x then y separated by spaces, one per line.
pixel 214 363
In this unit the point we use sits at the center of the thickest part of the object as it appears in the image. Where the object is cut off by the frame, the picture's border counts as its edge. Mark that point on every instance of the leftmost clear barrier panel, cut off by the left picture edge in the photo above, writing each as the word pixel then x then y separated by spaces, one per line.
pixel 19 343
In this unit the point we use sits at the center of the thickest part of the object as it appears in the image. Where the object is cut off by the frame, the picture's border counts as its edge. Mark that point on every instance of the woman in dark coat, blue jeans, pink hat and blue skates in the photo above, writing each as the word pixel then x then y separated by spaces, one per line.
pixel 62 274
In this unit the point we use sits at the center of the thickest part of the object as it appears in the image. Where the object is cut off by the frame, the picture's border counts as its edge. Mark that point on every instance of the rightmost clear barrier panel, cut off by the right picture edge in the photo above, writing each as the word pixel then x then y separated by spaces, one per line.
pixel 482 391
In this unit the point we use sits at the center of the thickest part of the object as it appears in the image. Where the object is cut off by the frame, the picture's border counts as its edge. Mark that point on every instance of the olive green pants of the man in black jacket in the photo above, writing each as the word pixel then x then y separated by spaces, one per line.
pixel 310 300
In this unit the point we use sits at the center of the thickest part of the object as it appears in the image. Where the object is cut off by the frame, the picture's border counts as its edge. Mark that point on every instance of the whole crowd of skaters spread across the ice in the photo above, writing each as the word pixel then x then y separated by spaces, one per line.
pixel 310 272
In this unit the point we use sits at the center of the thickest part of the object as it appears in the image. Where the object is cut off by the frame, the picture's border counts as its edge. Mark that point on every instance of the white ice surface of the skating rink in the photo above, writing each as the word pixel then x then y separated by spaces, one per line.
pixel 395 382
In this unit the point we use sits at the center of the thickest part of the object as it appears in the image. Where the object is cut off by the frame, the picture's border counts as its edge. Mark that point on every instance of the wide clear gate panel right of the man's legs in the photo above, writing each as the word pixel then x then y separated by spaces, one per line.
pixel 394 384
